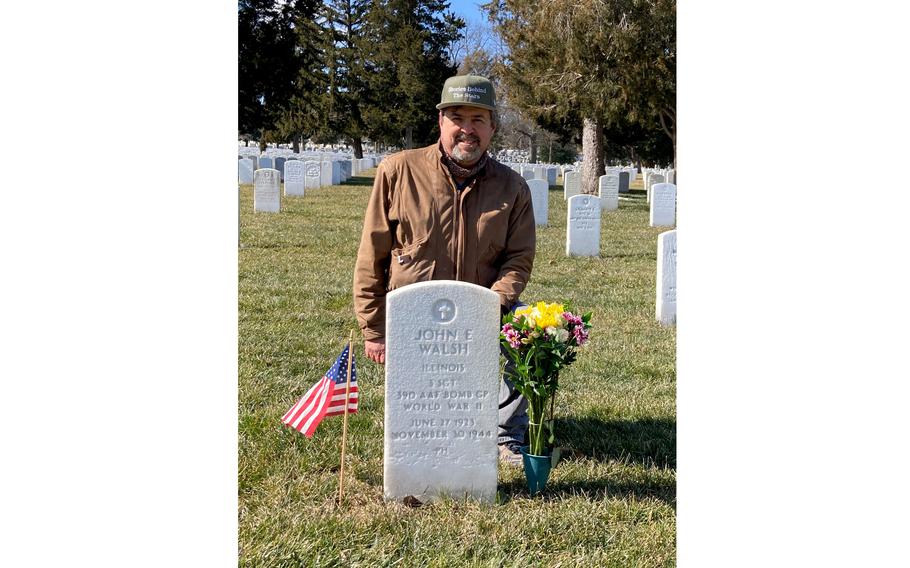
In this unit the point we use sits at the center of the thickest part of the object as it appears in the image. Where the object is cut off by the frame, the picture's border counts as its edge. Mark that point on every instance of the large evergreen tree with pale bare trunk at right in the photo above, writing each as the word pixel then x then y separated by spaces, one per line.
pixel 580 61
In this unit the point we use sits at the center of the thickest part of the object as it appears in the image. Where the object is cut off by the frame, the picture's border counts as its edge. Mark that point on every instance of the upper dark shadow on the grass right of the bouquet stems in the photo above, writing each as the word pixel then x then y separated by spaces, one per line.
pixel 648 441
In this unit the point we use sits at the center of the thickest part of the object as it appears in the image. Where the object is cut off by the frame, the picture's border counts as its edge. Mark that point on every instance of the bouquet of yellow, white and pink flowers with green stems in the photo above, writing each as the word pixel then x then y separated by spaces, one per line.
pixel 540 341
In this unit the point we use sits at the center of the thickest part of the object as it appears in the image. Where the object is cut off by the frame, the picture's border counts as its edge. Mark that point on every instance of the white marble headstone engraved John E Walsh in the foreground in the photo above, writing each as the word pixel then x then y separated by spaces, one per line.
pixel 441 391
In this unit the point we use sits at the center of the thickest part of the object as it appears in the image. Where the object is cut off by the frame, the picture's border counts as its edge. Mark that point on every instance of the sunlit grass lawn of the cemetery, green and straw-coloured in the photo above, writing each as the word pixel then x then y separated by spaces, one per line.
pixel 611 501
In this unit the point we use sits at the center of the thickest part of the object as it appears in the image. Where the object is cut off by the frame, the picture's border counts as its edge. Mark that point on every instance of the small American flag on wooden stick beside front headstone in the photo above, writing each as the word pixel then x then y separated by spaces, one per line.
pixel 325 398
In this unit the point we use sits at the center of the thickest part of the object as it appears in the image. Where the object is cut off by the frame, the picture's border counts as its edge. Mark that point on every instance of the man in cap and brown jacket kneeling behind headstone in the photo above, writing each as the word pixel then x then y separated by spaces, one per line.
pixel 449 212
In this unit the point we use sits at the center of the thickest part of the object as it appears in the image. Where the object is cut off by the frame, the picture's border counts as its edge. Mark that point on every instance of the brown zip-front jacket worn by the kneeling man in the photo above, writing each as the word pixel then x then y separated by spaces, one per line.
pixel 417 228
